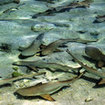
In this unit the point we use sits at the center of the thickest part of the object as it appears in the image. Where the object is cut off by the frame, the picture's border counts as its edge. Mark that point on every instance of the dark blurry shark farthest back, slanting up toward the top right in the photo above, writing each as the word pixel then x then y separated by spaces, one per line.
pixel 50 11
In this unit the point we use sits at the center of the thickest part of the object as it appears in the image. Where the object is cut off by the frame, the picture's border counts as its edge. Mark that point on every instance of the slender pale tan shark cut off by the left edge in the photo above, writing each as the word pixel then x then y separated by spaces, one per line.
pixel 10 80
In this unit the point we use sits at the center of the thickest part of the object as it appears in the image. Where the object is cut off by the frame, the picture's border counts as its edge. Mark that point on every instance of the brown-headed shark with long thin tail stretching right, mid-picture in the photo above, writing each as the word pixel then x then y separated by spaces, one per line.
pixel 52 47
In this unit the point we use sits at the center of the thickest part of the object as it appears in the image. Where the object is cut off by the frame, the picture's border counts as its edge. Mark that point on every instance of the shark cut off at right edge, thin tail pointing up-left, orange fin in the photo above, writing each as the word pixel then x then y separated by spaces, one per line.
pixel 90 69
